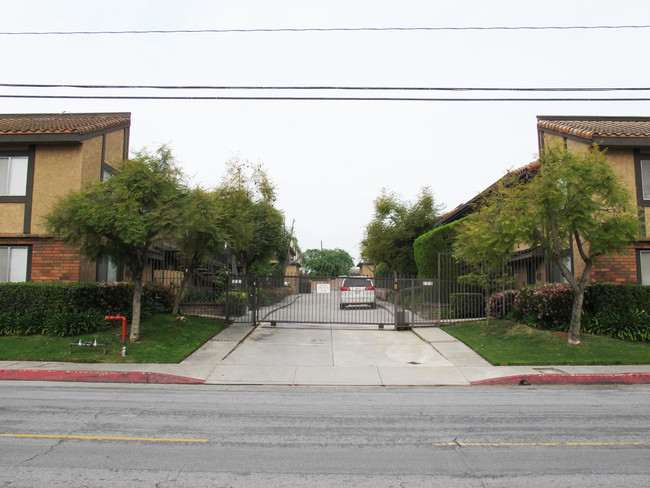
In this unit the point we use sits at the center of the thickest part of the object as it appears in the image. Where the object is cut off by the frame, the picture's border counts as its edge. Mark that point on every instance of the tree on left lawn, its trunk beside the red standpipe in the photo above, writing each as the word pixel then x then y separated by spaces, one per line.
pixel 122 218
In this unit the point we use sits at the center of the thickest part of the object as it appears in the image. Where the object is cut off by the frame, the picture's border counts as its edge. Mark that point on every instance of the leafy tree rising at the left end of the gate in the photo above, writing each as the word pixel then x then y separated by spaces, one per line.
pixel 254 228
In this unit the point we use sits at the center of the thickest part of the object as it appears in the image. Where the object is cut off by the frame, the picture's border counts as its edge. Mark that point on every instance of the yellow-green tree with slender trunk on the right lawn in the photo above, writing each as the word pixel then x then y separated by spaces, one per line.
pixel 575 202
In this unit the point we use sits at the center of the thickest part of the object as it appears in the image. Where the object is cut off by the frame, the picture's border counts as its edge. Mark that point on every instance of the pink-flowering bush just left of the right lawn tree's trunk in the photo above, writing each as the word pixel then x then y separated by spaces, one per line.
pixel 547 306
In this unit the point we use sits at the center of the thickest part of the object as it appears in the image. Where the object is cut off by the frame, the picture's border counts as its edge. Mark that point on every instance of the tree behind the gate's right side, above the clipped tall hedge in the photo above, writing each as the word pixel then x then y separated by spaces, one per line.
pixel 395 225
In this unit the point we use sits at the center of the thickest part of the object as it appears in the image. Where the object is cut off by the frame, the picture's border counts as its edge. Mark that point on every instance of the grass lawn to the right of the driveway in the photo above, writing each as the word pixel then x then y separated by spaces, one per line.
pixel 506 343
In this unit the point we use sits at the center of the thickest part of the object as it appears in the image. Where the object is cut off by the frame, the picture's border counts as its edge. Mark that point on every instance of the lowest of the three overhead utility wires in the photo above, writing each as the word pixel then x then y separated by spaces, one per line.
pixel 360 99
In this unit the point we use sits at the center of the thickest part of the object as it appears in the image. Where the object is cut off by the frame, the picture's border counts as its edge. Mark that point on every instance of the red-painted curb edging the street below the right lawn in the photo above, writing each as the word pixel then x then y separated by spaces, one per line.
pixel 569 379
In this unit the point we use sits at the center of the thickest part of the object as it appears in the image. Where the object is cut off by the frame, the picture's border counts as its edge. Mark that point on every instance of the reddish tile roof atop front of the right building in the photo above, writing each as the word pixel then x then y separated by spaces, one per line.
pixel 594 127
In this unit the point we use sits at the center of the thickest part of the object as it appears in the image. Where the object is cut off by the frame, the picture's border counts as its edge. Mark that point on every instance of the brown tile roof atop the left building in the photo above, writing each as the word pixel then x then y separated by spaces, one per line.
pixel 65 123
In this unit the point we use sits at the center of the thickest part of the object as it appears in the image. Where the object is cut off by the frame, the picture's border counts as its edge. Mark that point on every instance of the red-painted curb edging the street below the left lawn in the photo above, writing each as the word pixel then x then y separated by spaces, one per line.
pixel 95 376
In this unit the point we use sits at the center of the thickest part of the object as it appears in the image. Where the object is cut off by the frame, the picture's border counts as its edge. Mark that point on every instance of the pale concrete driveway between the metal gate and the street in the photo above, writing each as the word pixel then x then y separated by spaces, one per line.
pixel 335 356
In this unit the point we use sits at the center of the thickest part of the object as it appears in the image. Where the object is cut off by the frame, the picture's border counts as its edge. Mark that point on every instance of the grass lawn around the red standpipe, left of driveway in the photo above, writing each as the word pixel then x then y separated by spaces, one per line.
pixel 163 339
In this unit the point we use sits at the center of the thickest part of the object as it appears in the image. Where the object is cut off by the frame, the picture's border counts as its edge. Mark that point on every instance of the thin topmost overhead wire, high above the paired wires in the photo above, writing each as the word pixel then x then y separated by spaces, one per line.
pixel 323 29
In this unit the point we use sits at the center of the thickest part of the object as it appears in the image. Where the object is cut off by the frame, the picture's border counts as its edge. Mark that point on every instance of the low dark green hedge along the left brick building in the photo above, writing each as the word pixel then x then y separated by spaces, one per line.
pixel 72 308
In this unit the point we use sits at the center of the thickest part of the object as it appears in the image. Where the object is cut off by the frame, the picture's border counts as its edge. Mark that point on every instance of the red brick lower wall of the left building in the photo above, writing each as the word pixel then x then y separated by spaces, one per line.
pixel 51 259
